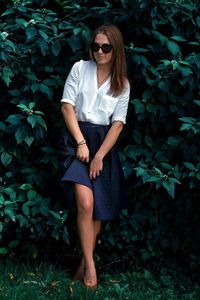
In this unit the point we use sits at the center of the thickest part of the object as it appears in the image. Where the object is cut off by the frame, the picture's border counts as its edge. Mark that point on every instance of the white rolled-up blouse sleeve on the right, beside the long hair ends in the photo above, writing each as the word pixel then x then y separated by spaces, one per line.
pixel 121 107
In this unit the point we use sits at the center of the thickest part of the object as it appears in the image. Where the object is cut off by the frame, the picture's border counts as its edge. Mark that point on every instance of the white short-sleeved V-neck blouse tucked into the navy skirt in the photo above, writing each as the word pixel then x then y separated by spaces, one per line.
pixel 93 104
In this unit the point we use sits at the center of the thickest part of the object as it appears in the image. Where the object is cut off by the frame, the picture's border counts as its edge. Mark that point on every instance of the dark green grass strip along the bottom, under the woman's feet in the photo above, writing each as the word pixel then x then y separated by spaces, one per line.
pixel 44 280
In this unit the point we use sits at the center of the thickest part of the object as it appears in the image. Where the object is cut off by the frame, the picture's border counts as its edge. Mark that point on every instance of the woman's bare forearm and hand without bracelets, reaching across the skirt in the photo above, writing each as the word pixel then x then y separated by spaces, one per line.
pixel 96 165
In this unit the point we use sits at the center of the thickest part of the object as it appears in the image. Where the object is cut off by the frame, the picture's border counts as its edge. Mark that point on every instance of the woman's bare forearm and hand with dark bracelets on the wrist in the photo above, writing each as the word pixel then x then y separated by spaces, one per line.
pixel 72 124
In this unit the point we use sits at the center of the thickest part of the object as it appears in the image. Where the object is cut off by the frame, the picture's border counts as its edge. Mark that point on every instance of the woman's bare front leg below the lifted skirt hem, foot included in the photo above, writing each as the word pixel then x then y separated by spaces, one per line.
pixel 87 231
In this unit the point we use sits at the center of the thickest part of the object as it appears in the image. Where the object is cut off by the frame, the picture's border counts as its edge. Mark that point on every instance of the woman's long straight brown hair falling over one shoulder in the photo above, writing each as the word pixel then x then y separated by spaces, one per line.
pixel 119 68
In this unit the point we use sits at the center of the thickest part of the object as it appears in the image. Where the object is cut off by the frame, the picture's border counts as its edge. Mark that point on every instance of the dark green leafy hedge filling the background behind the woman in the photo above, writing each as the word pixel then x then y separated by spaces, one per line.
pixel 160 147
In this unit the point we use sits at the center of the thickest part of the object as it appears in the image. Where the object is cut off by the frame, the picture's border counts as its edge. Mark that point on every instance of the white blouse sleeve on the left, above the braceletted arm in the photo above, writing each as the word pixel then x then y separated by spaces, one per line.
pixel 71 85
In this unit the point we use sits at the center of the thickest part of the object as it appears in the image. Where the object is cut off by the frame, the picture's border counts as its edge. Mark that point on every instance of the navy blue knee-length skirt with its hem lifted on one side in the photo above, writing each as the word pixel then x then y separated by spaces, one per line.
pixel 108 188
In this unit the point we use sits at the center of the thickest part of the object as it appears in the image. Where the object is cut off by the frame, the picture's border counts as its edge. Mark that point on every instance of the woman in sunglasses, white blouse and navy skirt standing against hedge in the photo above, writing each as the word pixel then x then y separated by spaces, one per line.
pixel 94 108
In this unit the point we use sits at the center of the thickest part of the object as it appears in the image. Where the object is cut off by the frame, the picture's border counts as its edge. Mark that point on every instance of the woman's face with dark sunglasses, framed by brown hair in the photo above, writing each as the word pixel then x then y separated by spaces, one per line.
pixel 100 56
